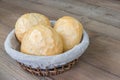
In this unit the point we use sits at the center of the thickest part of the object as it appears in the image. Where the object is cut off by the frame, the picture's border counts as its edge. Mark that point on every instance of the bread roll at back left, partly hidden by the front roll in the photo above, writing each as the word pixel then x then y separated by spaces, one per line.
pixel 28 20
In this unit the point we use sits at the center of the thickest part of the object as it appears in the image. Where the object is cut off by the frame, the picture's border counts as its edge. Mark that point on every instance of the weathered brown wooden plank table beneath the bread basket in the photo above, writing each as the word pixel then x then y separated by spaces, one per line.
pixel 101 19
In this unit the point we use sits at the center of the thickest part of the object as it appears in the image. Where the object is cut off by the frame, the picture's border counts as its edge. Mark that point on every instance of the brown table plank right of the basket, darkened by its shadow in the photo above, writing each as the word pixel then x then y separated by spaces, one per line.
pixel 104 54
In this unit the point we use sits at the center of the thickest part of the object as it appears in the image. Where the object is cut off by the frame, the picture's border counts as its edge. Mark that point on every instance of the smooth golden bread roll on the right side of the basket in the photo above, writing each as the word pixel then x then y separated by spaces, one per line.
pixel 70 30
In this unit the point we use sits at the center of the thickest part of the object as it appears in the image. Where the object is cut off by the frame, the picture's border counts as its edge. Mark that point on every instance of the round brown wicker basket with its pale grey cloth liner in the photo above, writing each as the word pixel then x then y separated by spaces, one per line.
pixel 34 64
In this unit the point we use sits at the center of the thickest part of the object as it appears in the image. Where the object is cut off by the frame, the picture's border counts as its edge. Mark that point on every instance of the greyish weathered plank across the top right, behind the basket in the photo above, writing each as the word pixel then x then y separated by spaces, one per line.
pixel 99 13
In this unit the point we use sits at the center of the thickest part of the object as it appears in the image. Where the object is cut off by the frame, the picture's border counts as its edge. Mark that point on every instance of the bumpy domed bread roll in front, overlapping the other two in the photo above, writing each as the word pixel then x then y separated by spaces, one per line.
pixel 41 41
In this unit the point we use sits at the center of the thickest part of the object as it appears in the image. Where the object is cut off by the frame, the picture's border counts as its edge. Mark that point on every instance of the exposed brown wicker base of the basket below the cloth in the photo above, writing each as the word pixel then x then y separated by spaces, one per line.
pixel 49 72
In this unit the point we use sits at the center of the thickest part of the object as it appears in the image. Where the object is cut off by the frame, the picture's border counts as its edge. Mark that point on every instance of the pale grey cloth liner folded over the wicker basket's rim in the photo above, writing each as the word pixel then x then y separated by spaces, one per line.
pixel 12 48
